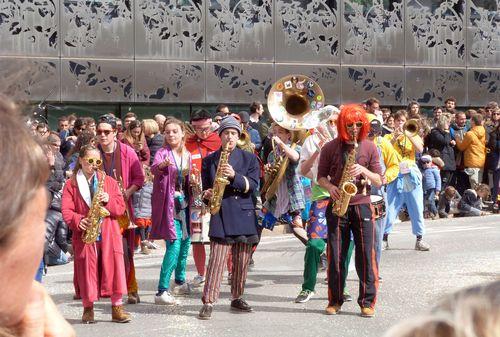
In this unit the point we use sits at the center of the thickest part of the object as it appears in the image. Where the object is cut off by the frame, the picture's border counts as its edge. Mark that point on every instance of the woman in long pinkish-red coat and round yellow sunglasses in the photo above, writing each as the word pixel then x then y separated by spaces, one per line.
pixel 99 266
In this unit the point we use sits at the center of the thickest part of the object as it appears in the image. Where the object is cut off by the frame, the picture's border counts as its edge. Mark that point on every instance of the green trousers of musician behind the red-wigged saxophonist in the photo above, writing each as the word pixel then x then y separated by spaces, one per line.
pixel 314 248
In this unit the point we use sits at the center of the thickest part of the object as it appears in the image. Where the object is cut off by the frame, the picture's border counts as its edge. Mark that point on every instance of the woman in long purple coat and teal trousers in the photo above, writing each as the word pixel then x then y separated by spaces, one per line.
pixel 170 212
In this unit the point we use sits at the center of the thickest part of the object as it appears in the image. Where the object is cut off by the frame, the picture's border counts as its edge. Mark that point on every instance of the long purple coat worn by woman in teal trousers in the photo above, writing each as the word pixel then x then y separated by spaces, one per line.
pixel 162 202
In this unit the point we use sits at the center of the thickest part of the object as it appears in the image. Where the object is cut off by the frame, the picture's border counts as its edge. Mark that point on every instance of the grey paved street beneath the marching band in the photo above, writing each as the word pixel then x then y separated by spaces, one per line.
pixel 464 251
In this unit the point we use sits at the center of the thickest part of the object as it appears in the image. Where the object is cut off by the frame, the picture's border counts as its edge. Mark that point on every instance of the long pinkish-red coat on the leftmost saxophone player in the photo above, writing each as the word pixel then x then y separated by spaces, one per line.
pixel 112 279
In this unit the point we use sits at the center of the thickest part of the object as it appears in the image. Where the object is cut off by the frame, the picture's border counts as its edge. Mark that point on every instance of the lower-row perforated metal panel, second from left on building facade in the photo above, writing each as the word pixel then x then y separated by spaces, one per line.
pixel 97 80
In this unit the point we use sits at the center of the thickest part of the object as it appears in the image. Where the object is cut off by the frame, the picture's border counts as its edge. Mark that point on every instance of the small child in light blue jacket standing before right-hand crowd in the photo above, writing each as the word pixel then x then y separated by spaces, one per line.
pixel 431 184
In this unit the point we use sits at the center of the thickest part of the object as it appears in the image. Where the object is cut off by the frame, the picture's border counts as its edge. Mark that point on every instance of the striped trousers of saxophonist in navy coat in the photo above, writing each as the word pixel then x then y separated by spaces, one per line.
pixel 241 253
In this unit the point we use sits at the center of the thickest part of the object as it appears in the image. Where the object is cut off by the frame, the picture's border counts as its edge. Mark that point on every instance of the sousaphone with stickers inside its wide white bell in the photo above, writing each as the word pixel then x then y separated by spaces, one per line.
pixel 295 103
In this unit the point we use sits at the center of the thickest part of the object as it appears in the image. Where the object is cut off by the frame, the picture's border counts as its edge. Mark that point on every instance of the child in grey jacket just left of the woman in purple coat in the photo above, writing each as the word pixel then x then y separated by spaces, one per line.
pixel 141 201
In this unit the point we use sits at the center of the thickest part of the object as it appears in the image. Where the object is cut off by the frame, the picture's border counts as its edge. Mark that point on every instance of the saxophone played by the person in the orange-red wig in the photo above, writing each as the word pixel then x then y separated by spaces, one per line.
pixel 347 187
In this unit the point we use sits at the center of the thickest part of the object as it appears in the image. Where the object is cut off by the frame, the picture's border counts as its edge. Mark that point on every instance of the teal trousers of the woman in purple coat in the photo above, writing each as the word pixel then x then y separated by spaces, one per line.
pixel 175 259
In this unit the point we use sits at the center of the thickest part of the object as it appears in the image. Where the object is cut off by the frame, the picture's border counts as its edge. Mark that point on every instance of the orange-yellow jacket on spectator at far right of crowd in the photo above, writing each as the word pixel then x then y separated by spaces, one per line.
pixel 474 147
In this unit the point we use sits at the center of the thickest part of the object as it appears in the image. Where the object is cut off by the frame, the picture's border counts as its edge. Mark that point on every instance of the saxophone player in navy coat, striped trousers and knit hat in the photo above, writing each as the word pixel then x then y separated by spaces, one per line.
pixel 233 227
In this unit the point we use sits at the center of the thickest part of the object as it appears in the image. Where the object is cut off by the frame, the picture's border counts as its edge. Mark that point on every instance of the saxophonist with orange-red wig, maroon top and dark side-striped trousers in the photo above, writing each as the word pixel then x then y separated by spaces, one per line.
pixel 351 146
